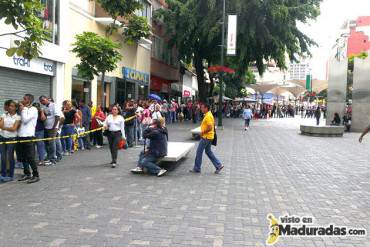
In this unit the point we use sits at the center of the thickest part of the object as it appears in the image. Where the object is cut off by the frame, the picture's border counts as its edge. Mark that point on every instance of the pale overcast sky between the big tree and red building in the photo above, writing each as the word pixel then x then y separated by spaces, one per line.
pixel 326 28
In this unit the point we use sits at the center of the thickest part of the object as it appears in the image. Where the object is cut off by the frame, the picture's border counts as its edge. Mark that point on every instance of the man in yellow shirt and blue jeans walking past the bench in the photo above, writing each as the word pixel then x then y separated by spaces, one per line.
pixel 207 135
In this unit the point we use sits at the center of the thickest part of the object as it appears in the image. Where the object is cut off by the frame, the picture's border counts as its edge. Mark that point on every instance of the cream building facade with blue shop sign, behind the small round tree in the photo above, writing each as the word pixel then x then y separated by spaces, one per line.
pixel 130 80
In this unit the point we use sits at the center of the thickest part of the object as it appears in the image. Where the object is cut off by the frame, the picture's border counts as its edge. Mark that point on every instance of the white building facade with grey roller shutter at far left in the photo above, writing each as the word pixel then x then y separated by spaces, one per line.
pixel 39 76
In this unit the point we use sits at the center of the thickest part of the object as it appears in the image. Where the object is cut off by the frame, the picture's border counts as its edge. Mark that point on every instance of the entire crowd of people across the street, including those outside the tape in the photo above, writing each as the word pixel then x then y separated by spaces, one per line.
pixel 42 134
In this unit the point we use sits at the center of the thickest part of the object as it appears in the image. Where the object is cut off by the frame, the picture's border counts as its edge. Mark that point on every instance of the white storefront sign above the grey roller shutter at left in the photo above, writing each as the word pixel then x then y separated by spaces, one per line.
pixel 36 65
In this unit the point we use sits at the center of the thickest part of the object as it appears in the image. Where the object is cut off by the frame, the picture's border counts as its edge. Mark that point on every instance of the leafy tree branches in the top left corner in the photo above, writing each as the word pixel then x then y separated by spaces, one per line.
pixel 23 16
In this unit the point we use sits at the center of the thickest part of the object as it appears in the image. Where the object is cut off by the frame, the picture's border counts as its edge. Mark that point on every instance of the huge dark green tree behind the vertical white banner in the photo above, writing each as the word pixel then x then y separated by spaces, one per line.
pixel 267 30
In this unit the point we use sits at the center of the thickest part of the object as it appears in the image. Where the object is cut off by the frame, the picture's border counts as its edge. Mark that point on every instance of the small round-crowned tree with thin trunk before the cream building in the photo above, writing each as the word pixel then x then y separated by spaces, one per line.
pixel 98 55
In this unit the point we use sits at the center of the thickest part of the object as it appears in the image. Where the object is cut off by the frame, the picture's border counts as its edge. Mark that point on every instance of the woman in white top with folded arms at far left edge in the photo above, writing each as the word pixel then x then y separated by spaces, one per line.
pixel 9 124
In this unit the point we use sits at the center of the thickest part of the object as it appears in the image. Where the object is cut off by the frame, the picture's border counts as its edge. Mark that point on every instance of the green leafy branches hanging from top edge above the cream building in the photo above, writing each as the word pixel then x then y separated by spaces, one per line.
pixel 134 27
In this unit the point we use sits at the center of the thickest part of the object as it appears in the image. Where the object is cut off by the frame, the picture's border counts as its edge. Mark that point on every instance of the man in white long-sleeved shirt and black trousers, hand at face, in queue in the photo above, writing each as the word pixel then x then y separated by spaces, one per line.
pixel 26 150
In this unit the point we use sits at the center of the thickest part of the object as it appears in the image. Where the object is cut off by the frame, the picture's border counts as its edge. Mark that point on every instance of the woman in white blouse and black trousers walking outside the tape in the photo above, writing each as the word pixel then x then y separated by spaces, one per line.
pixel 115 125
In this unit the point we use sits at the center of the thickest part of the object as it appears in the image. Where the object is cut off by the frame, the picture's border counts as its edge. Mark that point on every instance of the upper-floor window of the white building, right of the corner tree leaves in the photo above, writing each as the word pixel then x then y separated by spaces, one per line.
pixel 50 19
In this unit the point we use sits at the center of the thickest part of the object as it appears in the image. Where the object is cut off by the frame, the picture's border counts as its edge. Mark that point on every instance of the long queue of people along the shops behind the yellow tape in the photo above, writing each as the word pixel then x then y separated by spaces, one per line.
pixel 66 129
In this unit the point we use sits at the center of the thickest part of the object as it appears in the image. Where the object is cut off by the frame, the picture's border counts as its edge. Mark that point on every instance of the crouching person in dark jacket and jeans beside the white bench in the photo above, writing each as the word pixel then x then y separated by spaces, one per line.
pixel 157 148
